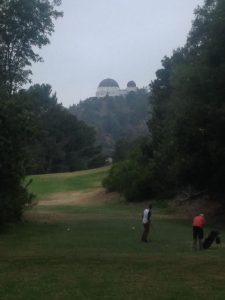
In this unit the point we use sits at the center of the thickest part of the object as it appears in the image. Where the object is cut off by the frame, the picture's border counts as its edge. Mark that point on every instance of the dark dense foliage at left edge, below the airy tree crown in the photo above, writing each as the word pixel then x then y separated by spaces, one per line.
pixel 14 134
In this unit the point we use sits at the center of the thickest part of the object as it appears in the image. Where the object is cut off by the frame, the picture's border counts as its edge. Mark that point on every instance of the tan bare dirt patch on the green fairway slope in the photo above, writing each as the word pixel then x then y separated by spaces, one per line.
pixel 87 198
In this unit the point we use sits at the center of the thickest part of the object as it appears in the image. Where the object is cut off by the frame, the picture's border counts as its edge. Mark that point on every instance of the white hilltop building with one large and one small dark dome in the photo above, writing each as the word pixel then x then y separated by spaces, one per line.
pixel 109 87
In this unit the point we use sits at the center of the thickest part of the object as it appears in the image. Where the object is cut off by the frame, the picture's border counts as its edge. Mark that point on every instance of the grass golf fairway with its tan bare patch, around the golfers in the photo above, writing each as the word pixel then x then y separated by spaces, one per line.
pixel 72 249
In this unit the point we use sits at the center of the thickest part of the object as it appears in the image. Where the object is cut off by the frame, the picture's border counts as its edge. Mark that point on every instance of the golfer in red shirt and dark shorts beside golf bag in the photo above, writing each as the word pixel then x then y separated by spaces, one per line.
pixel 198 233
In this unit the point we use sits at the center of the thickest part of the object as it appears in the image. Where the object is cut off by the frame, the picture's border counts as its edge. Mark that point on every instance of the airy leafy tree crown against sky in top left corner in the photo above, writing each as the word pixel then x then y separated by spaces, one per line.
pixel 24 24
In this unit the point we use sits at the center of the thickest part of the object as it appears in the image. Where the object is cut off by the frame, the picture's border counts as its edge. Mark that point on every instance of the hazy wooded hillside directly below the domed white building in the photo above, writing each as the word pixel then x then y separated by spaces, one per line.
pixel 115 118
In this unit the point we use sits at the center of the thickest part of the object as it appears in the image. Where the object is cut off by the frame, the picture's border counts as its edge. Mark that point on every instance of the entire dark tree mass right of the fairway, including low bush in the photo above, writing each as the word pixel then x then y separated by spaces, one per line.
pixel 186 146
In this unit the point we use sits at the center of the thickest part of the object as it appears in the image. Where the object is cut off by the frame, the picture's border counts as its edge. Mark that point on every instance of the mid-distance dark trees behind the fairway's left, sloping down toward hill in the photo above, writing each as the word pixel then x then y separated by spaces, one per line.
pixel 61 142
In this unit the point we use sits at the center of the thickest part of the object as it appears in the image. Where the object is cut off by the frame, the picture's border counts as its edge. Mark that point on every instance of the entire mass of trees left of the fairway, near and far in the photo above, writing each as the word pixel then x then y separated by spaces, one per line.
pixel 37 134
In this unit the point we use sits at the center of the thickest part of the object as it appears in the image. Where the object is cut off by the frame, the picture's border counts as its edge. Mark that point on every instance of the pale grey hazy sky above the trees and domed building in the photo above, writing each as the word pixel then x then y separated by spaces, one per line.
pixel 120 39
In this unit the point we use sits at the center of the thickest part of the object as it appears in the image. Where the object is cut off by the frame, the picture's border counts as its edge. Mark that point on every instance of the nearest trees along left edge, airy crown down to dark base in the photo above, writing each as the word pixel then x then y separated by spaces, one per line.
pixel 24 24
